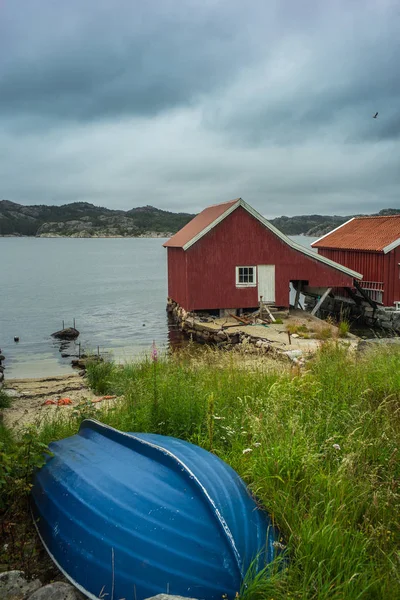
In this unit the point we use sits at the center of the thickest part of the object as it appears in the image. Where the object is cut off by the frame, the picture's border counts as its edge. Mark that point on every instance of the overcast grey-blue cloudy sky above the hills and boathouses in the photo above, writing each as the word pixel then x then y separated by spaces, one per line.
pixel 185 103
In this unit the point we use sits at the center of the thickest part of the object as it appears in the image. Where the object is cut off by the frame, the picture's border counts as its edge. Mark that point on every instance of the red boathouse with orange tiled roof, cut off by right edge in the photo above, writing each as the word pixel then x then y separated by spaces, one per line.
pixel 370 245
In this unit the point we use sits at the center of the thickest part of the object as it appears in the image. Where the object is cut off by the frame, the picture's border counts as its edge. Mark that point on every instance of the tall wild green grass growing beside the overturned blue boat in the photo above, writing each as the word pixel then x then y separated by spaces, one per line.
pixel 323 460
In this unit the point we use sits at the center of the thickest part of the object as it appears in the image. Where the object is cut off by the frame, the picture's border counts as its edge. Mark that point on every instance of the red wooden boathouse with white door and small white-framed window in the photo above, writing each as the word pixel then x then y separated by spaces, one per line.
pixel 229 255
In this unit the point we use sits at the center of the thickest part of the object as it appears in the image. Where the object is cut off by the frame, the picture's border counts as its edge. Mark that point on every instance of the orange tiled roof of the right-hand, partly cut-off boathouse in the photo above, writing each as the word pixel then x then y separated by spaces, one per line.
pixel 372 234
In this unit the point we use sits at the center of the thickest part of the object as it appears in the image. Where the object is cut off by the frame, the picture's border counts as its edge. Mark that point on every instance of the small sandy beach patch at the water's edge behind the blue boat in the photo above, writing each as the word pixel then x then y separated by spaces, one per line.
pixel 29 396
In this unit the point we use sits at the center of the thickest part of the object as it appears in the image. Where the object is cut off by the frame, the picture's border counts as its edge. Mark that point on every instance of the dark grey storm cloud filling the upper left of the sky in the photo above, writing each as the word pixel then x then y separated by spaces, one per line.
pixel 109 59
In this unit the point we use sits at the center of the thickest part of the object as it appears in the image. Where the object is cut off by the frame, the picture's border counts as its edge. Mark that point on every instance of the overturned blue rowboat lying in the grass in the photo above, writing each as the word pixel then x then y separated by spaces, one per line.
pixel 133 515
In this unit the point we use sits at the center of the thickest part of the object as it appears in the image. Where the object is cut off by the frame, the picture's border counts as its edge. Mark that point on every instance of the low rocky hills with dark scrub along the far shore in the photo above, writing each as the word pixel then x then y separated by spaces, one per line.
pixel 81 219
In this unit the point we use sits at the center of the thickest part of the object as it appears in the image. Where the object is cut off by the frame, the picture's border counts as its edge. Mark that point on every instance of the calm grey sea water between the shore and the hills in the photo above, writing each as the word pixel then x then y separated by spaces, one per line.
pixel 115 289
